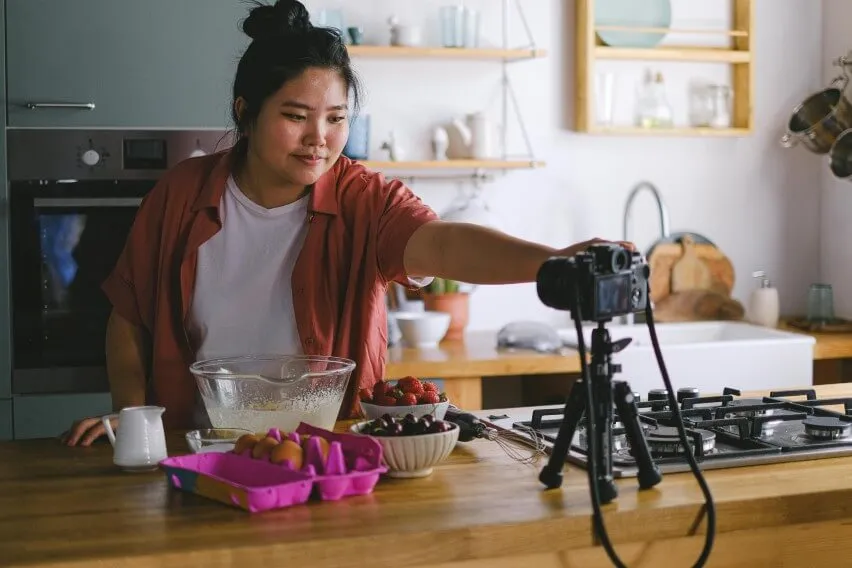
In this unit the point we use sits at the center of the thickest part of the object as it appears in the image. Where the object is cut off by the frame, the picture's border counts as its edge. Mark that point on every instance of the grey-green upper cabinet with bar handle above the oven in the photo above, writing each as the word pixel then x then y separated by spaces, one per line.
pixel 157 63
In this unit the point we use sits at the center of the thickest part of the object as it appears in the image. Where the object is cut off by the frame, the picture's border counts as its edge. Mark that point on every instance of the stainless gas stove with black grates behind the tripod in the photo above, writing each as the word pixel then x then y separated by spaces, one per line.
pixel 723 431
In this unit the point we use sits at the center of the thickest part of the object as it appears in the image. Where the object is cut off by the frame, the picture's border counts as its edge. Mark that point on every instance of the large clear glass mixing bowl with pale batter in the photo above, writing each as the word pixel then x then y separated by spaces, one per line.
pixel 259 392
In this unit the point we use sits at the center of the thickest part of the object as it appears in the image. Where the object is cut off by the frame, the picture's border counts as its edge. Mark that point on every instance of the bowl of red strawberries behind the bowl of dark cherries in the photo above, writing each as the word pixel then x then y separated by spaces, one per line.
pixel 403 397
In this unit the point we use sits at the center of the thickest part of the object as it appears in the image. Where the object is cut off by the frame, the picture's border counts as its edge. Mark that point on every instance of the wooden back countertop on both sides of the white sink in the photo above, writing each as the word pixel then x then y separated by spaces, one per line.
pixel 478 356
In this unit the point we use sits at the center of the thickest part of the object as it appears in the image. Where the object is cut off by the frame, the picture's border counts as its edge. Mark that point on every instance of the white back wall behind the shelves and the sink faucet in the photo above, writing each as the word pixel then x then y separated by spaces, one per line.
pixel 758 201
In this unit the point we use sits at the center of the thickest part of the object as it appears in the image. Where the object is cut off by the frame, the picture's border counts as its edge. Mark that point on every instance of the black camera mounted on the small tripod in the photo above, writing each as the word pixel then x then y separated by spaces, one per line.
pixel 609 279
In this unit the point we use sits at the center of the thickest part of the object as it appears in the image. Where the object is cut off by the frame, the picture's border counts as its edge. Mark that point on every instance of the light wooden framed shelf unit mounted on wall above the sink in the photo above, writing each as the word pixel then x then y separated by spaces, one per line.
pixel 590 49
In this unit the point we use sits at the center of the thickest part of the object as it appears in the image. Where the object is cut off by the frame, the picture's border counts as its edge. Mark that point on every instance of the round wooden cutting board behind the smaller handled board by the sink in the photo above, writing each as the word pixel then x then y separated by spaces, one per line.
pixel 665 256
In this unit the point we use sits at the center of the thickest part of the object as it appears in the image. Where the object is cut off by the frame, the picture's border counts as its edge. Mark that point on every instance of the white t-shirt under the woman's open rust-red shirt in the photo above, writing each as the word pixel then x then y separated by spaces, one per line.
pixel 243 298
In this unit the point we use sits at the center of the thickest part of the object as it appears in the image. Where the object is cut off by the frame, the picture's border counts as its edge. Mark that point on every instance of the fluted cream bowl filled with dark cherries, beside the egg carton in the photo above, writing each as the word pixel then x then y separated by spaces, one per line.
pixel 411 446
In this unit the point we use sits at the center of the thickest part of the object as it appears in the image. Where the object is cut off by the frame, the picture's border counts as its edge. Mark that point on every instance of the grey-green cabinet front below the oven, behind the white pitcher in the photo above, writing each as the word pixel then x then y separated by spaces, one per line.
pixel 47 416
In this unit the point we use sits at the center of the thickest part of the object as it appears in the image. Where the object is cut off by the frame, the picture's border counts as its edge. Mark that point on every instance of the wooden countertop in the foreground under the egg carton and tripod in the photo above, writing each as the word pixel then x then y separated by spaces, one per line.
pixel 70 507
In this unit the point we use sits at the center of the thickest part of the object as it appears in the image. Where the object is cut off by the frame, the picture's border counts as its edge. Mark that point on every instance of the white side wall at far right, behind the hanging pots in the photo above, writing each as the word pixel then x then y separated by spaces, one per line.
pixel 836 194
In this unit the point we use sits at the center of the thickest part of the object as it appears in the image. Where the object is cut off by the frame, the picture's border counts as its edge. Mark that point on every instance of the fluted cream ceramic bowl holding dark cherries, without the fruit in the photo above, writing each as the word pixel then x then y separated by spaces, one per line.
pixel 414 456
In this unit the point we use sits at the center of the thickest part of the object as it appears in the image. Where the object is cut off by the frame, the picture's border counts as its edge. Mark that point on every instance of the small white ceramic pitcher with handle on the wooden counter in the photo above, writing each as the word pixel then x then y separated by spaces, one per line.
pixel 140 443
